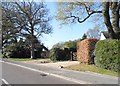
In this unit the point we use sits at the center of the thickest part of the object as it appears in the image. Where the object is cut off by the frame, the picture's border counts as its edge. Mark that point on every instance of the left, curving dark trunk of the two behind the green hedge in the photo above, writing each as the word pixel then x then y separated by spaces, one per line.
pixel 107 20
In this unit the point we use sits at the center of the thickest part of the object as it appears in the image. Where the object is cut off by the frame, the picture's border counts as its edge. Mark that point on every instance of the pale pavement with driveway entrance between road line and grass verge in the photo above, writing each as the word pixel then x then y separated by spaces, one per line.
pixel 55 69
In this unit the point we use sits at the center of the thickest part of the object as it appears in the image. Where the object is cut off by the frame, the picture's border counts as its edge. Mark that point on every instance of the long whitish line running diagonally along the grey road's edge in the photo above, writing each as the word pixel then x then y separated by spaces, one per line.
pixel 55 75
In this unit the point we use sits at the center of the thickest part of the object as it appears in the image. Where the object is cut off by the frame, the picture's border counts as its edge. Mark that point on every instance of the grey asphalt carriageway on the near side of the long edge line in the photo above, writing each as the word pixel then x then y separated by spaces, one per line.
pixel 12 74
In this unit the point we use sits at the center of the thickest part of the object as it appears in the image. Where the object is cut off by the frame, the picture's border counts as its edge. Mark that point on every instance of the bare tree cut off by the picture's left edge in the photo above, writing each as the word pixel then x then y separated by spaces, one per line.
pixel 9 31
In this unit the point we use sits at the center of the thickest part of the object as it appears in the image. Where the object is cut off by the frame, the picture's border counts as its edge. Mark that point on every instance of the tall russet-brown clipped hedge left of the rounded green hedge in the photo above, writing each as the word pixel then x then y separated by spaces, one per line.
pixel 85 49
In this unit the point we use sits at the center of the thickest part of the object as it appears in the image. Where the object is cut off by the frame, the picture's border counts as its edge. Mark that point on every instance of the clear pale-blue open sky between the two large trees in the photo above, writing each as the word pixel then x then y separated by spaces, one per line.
pixel 66 32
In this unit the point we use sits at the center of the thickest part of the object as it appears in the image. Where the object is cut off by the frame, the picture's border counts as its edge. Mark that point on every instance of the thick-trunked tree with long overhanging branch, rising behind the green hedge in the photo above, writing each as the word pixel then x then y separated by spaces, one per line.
pixel 72 12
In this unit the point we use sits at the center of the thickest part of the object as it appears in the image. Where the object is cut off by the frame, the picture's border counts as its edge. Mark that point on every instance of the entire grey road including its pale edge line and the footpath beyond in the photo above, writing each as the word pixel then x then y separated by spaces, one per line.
pixel 21 73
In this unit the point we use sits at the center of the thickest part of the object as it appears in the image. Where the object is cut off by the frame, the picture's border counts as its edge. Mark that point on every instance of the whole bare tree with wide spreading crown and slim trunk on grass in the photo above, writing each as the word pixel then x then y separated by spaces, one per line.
pixel 31 18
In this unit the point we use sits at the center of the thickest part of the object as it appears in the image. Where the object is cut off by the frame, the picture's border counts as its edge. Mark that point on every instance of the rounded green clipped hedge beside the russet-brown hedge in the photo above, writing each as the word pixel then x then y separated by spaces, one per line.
pixel 107 54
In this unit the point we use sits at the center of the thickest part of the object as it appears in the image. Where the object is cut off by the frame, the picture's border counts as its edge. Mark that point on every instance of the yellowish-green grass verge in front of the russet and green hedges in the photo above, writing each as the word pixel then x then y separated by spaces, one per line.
pixel 92 68
